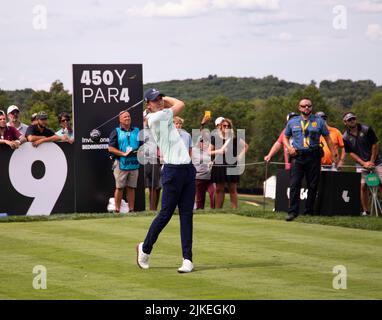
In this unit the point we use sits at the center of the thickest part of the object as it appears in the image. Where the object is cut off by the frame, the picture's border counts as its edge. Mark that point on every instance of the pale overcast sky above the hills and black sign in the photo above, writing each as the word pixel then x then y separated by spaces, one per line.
pixel 295 40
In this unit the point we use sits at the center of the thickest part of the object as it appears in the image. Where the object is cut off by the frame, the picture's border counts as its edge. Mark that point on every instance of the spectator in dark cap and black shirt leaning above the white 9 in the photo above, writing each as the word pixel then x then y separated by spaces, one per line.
pixel 39 133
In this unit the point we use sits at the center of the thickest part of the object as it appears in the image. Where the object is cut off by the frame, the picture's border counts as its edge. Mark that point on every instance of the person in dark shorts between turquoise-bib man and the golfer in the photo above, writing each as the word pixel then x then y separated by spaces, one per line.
pixel 152 166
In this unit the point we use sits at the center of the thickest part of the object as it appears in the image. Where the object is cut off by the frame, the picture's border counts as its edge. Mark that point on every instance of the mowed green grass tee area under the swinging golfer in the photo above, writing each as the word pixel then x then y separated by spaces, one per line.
pixel 235 257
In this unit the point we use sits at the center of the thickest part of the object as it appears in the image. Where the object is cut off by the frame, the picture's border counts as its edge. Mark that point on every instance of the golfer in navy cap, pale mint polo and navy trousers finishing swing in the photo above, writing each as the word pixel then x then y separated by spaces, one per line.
pixel 178 178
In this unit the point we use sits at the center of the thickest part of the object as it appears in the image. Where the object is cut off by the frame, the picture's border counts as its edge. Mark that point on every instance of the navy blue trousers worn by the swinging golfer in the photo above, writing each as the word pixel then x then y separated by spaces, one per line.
pixel 178 183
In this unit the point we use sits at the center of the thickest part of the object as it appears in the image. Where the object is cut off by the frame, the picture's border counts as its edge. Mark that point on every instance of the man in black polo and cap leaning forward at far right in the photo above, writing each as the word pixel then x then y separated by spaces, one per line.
pixel 362 144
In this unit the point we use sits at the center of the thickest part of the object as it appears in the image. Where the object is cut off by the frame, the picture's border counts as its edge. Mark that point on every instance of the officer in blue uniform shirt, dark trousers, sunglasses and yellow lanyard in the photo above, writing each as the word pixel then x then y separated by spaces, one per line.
pixel 305 153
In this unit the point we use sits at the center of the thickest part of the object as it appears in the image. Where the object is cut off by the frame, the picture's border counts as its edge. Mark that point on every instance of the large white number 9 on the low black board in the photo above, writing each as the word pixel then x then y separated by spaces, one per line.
pixel 46 190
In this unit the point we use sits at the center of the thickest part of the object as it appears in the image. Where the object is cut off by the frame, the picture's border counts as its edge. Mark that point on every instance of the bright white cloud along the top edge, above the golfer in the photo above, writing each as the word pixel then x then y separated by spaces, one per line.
pixel 192 8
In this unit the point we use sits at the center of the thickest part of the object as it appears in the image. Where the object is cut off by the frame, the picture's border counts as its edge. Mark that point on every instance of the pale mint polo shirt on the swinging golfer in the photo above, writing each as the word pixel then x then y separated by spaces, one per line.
pixel 167 137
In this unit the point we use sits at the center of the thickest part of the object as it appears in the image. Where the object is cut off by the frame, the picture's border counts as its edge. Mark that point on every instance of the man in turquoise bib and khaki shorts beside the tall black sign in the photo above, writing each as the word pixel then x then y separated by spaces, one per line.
pixel 123 144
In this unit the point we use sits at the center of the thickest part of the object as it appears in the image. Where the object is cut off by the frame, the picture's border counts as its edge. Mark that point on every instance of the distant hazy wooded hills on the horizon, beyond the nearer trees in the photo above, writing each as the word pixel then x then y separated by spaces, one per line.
pixel 340 93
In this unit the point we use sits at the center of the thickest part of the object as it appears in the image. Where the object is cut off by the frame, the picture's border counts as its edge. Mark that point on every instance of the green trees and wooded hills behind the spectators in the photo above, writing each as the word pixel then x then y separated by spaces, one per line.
pixel 259 106
